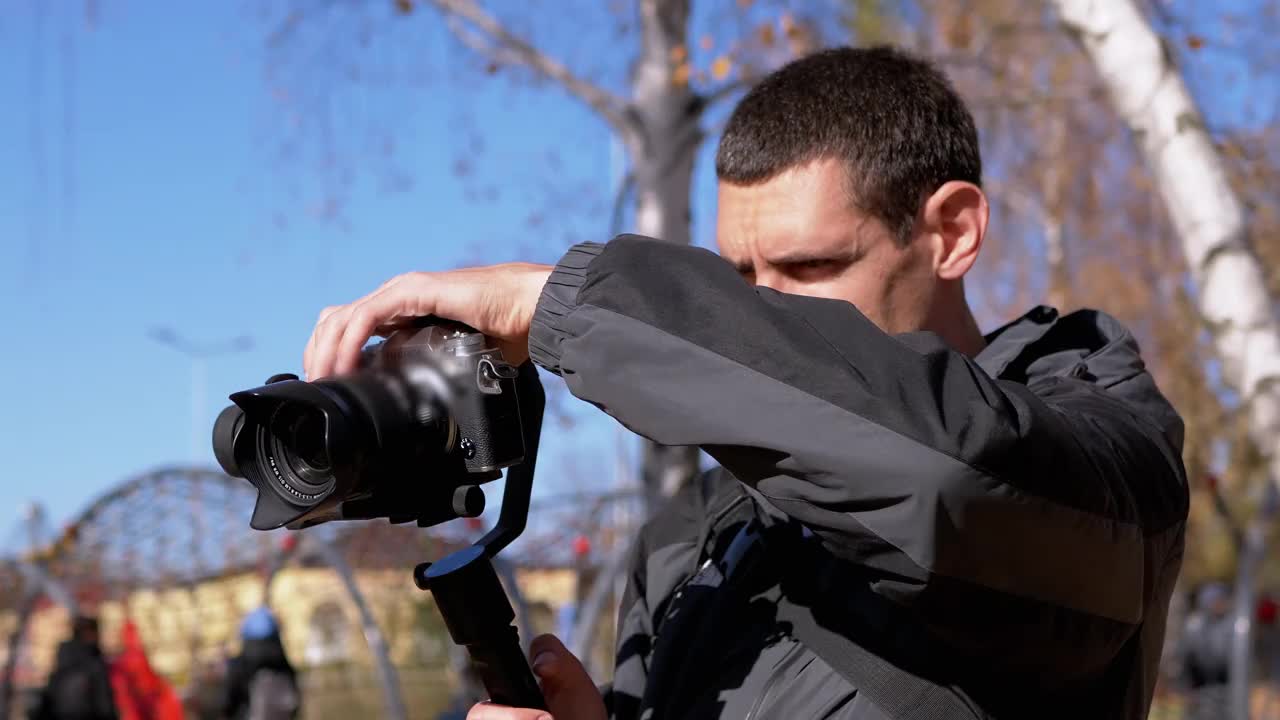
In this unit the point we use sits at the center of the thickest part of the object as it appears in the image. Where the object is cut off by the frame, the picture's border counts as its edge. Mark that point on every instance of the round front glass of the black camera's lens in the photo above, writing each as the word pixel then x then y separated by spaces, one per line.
pixel 296 453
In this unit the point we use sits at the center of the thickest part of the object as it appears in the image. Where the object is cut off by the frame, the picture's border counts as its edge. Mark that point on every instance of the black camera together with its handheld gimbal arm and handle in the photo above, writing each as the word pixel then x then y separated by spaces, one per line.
pixel 429 416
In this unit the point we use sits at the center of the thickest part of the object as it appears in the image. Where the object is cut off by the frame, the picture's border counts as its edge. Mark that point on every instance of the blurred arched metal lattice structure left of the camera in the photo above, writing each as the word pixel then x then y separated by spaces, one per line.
pixel 171 527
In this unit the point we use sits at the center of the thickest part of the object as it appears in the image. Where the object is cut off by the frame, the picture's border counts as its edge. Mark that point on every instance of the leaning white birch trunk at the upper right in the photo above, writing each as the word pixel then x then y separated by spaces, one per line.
pixel 1151 98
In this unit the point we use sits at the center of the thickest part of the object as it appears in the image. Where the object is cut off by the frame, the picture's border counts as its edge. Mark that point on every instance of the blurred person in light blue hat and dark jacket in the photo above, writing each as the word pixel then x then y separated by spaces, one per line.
pixel 262 685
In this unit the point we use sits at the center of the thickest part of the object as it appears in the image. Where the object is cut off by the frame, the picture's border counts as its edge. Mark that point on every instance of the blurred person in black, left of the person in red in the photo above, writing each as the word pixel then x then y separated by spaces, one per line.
pixel 80 687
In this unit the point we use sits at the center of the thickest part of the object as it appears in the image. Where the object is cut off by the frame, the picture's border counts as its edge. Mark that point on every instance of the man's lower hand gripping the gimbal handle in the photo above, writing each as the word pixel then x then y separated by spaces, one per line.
pixel 568 689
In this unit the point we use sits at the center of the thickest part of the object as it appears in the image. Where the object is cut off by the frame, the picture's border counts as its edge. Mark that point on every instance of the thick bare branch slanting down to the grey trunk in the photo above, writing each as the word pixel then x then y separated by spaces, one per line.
pixel 505 47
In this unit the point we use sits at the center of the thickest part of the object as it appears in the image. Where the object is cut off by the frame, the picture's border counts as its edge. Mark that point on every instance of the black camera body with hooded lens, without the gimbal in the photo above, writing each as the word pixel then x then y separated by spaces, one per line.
pixel 431 414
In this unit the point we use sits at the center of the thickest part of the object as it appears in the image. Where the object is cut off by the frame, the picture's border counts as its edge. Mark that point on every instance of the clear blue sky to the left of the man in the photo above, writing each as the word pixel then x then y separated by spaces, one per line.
pixel 143 186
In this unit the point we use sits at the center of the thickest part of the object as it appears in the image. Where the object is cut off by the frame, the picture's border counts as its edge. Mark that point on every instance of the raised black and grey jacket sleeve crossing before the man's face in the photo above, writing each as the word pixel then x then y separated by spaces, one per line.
pixel 902 455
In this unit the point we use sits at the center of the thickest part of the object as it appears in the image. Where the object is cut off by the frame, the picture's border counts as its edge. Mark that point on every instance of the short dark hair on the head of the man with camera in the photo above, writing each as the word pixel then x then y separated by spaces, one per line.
pixel 893 120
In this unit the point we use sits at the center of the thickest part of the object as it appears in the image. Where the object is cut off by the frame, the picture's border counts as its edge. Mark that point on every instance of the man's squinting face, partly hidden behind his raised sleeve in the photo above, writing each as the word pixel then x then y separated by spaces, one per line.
pixel 801 234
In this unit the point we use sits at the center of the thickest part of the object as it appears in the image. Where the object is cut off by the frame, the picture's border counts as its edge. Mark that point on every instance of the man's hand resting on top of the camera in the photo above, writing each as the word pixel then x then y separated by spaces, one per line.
pixel 499 300
